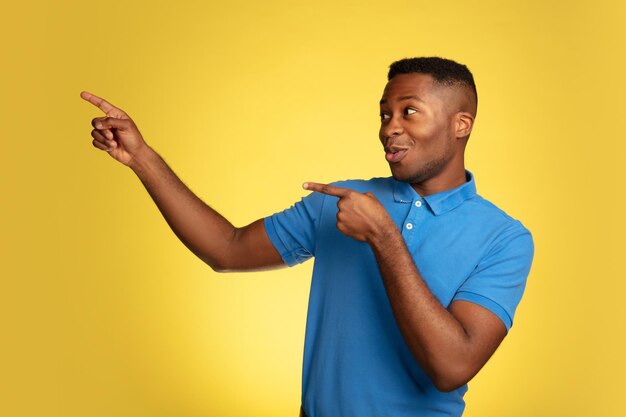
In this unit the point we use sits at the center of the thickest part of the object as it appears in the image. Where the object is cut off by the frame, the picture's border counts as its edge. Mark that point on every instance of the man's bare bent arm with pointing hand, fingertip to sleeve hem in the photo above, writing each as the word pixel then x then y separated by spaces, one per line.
pixel 450 344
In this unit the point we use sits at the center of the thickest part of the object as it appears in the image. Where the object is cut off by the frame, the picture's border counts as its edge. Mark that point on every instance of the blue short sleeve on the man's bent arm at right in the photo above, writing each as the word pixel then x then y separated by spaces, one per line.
pixel 498 281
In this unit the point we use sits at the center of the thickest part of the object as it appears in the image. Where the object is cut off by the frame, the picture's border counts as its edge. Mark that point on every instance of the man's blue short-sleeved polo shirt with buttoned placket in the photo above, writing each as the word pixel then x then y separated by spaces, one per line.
pixel 356 362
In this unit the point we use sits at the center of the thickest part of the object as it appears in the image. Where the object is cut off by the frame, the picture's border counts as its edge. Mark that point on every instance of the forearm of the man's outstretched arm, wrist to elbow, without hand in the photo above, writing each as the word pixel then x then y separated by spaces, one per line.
pixel 203 230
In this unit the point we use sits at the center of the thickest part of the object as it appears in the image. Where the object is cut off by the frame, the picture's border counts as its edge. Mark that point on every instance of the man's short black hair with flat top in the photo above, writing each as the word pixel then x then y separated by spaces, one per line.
pixel 444 71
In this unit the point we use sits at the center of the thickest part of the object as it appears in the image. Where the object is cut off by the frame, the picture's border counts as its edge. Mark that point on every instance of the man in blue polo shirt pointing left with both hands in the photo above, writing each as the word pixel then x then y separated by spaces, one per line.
pixel 416 277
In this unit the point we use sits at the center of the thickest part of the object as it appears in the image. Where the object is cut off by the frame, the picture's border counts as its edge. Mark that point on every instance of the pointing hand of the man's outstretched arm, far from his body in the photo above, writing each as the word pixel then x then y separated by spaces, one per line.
pixel 116 133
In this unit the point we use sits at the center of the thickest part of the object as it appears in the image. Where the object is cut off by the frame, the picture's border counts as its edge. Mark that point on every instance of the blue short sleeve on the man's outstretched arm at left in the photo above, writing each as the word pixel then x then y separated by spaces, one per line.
pixel 293 231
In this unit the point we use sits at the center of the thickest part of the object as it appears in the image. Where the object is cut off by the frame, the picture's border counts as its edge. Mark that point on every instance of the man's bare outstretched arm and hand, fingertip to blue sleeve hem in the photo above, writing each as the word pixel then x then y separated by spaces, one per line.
pixel 204 231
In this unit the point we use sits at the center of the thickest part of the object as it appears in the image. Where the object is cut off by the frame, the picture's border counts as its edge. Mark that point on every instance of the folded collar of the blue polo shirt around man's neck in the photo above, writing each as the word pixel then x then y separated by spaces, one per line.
pixel 439 203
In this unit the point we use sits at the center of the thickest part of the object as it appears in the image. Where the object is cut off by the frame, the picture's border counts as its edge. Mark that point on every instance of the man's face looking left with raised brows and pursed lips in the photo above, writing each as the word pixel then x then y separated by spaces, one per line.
pixel 416 127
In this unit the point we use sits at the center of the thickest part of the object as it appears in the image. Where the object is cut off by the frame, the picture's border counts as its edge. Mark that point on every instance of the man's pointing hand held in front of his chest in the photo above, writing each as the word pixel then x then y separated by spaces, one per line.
pixel 360 216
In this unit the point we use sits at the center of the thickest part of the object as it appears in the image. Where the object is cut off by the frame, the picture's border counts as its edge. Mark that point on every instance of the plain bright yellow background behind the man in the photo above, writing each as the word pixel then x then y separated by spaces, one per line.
pixel 103 312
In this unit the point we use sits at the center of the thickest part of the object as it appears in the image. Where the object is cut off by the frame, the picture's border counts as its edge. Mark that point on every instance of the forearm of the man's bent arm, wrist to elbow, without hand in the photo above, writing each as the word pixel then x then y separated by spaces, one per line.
pixel 436 338
